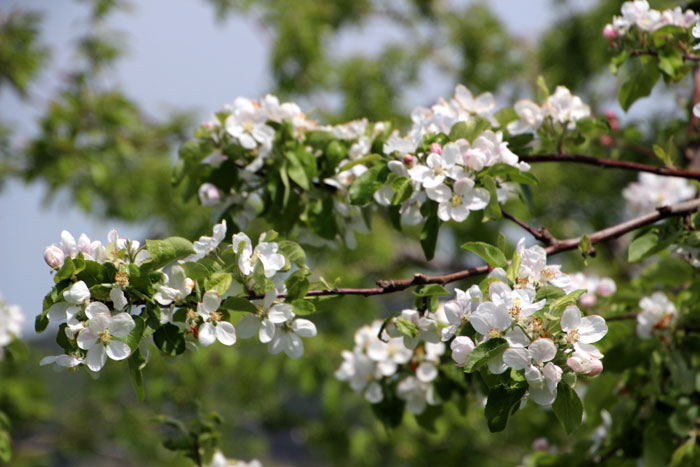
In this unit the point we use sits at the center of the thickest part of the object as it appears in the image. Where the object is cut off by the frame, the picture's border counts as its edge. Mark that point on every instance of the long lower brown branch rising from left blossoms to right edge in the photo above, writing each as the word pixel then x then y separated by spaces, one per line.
pixel 391 286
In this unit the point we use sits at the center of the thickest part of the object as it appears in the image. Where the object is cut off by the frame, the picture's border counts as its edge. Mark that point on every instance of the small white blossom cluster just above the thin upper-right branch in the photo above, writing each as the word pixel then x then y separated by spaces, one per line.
pixel 561 108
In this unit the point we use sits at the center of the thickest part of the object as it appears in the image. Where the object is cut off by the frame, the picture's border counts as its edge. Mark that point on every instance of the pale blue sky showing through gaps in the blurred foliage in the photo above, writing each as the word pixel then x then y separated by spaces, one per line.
pixel 179 56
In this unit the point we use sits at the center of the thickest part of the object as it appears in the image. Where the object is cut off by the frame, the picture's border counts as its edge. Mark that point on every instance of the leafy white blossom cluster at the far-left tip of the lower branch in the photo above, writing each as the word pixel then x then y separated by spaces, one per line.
pixel 125 302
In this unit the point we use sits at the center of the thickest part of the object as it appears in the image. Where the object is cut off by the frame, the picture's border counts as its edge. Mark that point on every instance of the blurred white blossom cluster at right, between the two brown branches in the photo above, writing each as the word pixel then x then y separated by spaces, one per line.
pixel 652 191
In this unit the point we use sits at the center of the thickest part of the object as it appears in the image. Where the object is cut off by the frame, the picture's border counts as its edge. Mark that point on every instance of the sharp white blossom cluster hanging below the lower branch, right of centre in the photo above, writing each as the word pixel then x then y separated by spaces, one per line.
pixel 530 330
